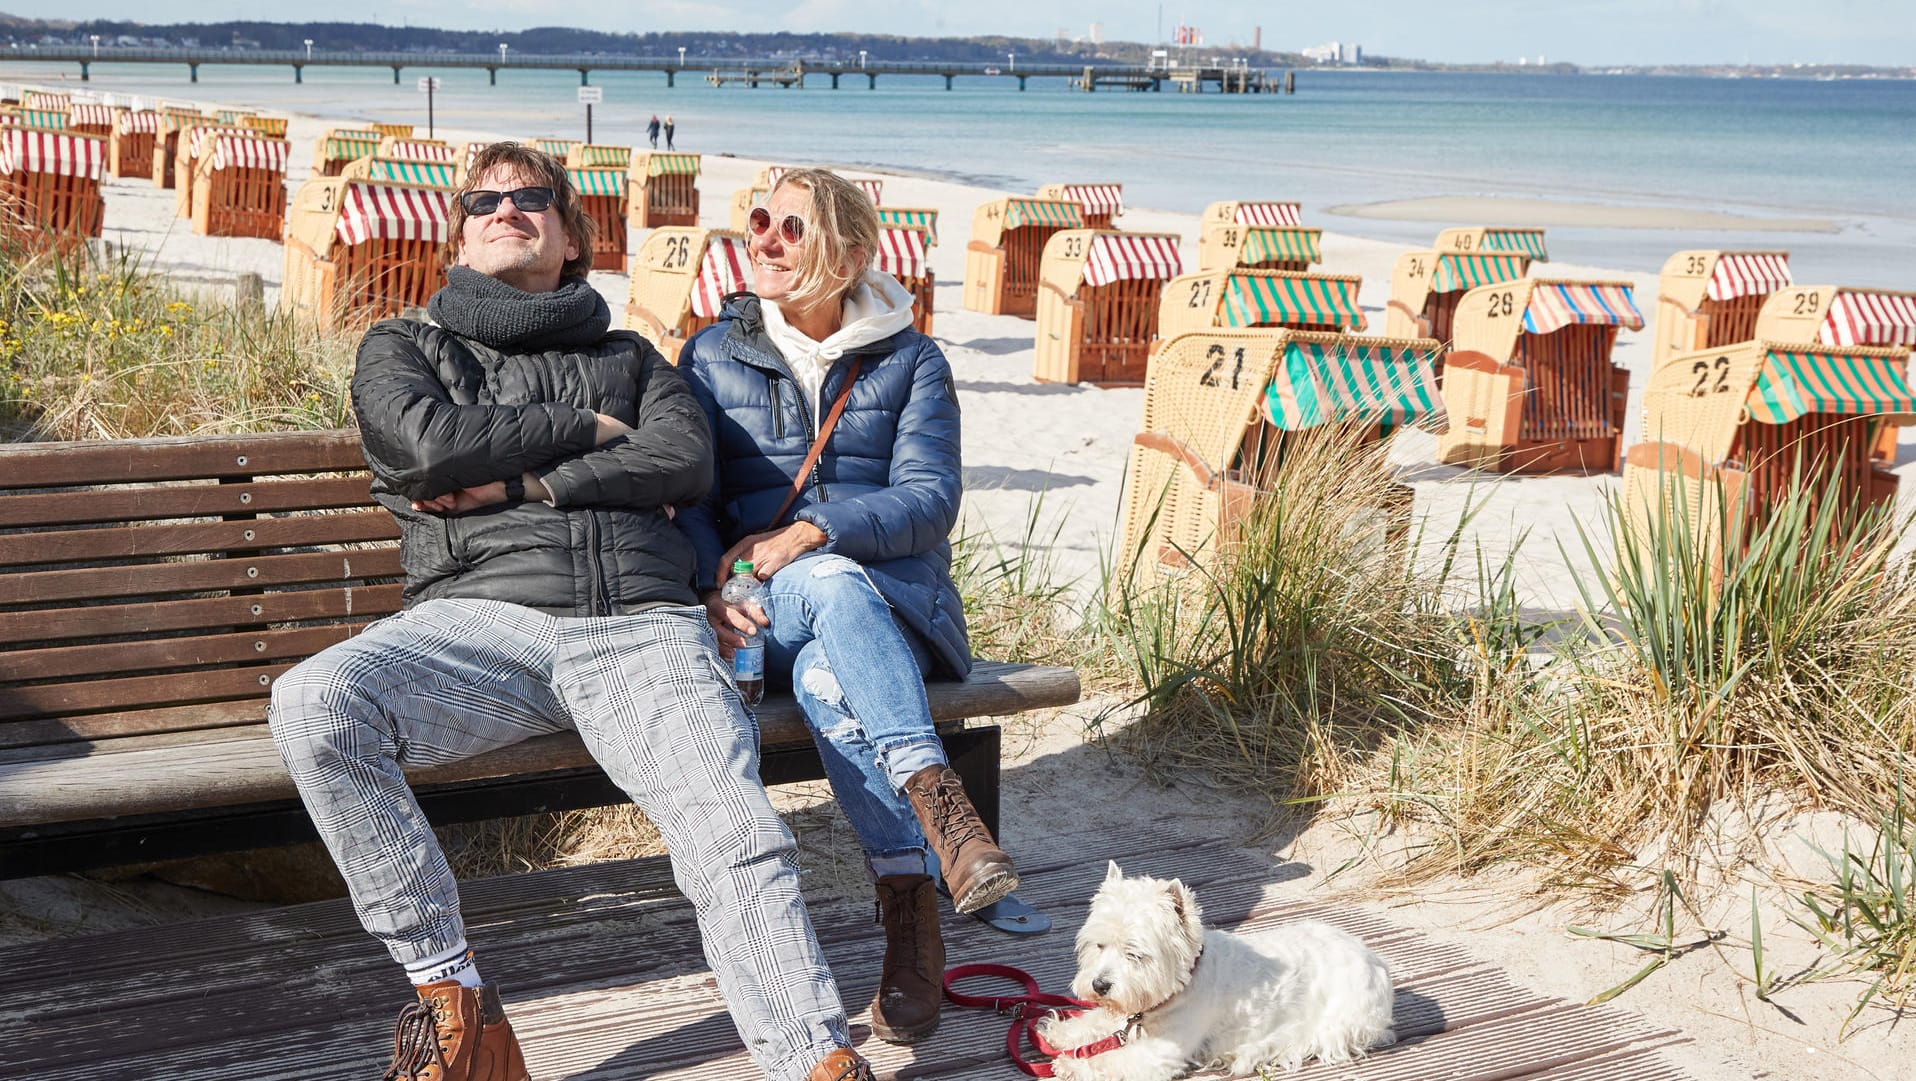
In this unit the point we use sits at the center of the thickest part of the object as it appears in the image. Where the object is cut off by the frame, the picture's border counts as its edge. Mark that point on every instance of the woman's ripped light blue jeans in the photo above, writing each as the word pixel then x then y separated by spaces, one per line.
pixel 859 679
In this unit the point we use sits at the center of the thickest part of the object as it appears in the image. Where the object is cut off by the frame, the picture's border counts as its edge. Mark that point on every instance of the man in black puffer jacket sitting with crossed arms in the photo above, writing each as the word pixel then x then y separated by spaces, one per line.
pixel 534 459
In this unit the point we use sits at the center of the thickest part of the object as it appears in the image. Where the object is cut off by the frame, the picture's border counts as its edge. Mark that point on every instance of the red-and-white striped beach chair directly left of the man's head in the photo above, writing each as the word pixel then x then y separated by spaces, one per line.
pixel 361 250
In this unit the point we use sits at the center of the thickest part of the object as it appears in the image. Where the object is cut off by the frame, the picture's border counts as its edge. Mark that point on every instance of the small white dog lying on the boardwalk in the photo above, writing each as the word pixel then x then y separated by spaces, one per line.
pixel 1183 998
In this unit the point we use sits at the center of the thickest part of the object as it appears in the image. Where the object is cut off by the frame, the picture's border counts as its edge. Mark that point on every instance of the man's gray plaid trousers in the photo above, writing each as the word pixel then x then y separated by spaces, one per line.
pixel 647 693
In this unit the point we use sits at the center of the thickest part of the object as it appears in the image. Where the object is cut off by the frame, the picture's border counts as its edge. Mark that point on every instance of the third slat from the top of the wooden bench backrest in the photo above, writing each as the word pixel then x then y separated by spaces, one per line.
pixel 191 540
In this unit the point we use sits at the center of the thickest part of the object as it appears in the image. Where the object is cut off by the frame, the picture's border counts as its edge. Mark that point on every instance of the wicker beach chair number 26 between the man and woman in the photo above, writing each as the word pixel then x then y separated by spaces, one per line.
pixel 679 283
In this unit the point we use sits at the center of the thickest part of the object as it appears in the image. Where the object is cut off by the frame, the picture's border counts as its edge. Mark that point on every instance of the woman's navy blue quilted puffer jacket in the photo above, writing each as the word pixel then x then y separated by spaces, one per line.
pixel 886 490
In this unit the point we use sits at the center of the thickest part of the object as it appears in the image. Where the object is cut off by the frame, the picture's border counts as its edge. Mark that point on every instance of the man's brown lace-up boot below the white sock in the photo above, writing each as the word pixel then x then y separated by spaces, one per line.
pixel 455 1034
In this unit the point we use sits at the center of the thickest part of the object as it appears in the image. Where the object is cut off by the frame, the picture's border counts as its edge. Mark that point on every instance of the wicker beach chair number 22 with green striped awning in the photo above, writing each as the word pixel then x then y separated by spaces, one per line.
pixel 1731 430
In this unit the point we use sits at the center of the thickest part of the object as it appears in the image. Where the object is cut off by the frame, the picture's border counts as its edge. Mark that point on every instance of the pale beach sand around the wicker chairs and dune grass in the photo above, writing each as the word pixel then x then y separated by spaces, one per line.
pixel 1057 455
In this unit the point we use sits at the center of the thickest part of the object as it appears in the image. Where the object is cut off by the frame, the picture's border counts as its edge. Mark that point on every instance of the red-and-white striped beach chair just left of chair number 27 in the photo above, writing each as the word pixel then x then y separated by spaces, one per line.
pixel 1099 300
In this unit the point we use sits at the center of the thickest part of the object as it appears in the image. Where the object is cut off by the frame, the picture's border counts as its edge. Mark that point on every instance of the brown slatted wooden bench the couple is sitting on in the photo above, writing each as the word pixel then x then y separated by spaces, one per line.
pixel 154 589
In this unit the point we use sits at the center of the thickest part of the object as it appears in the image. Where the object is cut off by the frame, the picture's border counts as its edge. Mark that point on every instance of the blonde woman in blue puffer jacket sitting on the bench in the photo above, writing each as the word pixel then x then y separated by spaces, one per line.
pixel 850 528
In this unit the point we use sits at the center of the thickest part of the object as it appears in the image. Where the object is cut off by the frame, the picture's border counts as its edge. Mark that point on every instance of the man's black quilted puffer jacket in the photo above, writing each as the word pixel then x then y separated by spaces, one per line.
pixel 442 413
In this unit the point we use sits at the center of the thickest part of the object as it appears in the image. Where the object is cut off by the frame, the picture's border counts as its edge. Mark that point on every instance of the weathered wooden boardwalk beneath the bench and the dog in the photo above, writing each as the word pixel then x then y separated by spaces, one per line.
pixel 604 980
